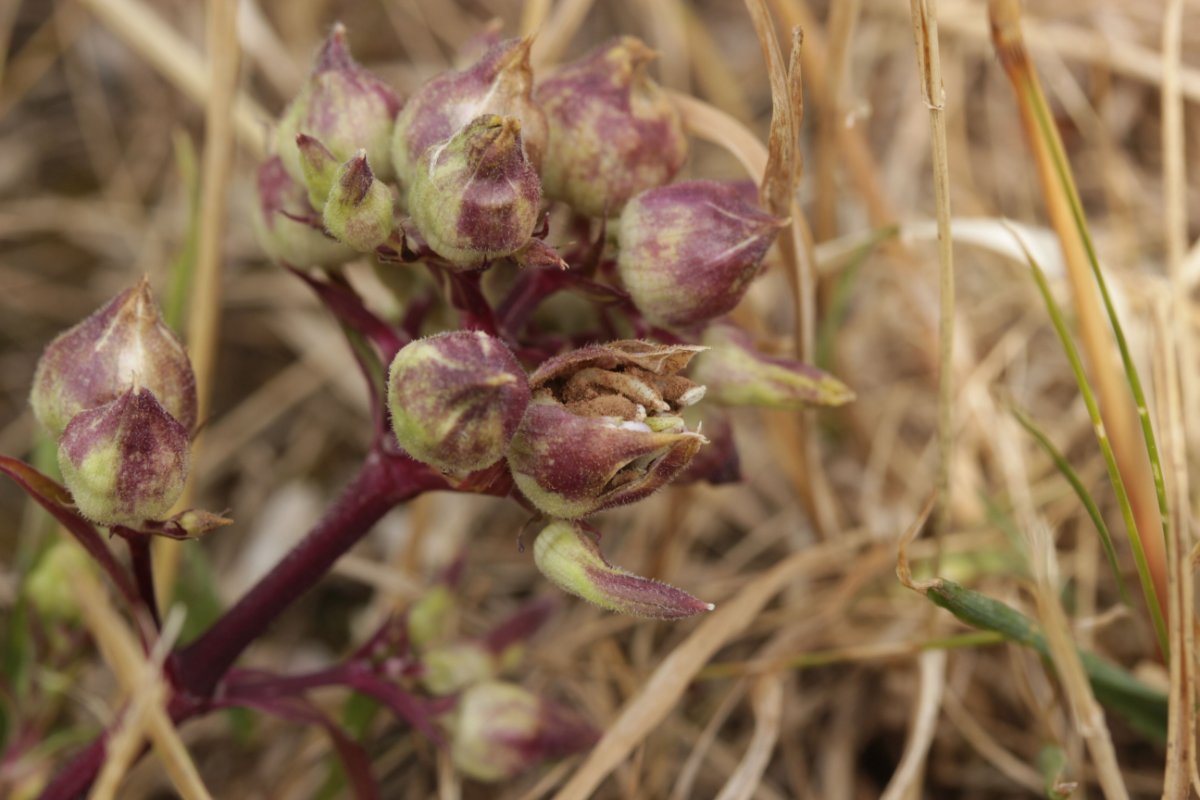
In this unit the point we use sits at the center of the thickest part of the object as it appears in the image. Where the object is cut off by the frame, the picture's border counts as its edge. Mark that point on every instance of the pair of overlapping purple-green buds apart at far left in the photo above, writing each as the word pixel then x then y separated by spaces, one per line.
pixel 118 394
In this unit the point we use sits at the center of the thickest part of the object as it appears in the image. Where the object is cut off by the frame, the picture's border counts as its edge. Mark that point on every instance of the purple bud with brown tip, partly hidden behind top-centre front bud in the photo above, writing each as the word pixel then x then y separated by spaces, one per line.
pixel 501 82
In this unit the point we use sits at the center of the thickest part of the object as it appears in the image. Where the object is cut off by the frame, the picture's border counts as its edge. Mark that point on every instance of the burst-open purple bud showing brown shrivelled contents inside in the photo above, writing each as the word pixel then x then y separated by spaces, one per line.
pixel 604 428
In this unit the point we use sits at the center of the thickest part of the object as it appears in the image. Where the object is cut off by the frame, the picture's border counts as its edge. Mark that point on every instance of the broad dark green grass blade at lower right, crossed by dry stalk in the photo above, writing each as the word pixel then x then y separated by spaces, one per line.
pixel 1142 707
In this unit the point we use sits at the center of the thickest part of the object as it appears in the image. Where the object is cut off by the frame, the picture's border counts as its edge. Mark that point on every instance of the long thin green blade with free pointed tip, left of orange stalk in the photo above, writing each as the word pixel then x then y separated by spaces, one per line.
pixel 1102 437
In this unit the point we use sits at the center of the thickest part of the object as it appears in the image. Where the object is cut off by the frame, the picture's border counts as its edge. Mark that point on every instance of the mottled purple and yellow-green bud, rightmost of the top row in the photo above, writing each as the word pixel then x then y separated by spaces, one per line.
pixel 613 131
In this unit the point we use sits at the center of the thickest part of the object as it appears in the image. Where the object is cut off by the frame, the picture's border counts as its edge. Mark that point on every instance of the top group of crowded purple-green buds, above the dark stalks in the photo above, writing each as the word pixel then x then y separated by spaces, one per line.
pixel 475 154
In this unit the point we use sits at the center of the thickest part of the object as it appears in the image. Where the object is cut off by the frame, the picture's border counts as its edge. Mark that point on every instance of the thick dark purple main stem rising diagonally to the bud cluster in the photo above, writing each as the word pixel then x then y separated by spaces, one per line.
pixel 383 483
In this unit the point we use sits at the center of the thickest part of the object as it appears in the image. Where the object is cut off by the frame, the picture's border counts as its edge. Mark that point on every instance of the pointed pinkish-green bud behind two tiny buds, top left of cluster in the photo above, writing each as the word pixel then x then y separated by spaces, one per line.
pixel 344 106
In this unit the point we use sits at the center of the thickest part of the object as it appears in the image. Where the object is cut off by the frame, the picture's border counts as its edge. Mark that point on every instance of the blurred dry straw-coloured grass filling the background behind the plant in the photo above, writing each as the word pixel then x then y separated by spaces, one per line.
pixel 95 147
